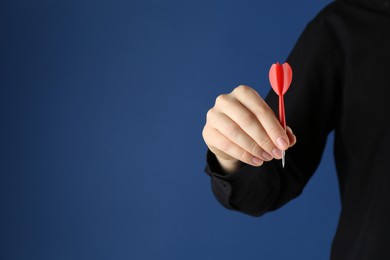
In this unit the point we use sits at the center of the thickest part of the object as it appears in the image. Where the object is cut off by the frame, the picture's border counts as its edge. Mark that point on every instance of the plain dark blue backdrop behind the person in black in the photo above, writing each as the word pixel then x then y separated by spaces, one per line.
pixel 102 104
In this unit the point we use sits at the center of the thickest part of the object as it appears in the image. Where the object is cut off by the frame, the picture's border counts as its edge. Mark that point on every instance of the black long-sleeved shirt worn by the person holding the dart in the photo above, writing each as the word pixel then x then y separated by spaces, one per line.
pixel 341 82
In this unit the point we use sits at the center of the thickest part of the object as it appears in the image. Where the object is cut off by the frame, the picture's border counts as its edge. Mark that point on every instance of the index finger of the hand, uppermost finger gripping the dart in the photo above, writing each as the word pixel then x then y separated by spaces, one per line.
pixel 264 114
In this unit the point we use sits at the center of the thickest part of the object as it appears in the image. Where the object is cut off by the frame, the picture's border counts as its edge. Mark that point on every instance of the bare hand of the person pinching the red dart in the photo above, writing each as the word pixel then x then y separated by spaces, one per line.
pixel 242 128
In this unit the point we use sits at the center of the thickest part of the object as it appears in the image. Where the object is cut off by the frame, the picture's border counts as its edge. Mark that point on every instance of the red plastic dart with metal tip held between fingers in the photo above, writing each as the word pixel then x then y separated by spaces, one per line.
pixel 280 77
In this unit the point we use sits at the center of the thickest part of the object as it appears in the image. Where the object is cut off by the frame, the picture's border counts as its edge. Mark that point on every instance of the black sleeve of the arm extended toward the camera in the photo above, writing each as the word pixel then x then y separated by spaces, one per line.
pixel 311 107
